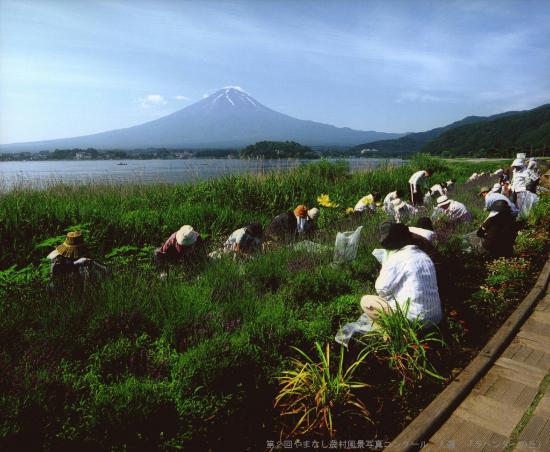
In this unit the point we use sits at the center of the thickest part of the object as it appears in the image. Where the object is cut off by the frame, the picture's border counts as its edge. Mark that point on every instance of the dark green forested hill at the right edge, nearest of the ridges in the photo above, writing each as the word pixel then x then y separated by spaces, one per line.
pixel 497 137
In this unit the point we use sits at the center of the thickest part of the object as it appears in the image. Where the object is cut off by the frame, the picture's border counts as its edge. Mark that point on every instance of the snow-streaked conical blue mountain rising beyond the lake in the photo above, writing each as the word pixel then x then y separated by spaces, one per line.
pixel 228 118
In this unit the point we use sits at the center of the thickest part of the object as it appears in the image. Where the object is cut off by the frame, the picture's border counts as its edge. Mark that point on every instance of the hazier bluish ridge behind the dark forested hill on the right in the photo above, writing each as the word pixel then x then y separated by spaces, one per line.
pixel 414 142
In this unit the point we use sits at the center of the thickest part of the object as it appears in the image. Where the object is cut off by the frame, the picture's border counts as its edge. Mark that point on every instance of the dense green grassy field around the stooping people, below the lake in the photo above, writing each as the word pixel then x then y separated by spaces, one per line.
pixel 139 362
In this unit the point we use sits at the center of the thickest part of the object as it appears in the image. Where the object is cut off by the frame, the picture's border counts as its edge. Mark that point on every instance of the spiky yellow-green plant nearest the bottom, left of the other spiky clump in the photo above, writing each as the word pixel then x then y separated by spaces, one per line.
pixel 317 393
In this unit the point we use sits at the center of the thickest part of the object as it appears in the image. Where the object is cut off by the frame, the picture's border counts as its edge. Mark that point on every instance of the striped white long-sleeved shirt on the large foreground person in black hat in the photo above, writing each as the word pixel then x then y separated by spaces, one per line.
pixel 409 274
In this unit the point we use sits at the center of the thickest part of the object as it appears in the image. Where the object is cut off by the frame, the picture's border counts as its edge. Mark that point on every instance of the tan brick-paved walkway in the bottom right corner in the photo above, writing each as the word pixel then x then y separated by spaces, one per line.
pixel 509 408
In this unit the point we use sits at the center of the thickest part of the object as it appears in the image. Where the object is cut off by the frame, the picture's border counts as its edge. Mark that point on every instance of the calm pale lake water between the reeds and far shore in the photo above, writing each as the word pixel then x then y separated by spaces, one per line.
pixel 41 173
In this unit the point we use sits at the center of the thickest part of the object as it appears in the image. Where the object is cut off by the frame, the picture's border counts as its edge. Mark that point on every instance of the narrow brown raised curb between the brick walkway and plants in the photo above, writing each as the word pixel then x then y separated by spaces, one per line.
pixel 439 410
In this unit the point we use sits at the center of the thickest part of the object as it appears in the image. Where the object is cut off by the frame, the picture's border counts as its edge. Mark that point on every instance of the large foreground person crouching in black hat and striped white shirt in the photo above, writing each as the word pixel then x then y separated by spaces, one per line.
pixel 407 276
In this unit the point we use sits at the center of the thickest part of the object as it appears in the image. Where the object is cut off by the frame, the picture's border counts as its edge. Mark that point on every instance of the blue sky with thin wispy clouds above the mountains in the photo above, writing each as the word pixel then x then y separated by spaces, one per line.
pixel 69 68
